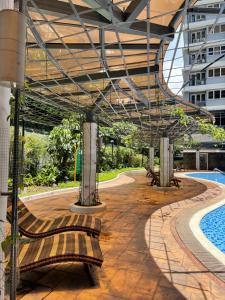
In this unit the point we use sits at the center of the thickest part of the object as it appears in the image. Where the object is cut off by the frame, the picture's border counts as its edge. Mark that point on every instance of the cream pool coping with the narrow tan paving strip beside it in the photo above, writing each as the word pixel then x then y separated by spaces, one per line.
pixel 192 242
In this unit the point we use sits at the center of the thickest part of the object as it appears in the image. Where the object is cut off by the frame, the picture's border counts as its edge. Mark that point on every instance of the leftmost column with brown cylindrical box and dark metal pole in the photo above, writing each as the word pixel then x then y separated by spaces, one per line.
pixel 12 62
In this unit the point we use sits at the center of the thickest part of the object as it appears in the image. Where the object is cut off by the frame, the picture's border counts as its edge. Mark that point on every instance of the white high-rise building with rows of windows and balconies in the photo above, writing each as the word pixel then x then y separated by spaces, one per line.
pixel 204 57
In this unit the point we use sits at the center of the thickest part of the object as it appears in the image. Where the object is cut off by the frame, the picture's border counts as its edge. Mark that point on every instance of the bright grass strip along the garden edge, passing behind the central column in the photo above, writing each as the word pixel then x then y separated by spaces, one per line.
pixel 32 190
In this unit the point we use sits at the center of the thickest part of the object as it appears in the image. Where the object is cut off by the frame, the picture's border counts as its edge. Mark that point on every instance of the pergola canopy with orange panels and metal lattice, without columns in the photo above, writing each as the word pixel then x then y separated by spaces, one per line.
pixel 104 57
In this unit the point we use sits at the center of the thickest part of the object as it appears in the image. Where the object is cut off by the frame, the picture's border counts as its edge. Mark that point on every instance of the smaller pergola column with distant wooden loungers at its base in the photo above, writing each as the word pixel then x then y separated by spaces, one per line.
pixel 164 162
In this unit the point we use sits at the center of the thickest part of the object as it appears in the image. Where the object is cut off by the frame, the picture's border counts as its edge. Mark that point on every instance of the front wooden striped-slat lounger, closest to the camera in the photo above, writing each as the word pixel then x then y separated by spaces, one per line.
pixel 58 248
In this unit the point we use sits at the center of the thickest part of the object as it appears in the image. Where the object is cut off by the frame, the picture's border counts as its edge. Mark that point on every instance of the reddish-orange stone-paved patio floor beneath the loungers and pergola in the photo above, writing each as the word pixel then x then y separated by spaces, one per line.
pixel 129 271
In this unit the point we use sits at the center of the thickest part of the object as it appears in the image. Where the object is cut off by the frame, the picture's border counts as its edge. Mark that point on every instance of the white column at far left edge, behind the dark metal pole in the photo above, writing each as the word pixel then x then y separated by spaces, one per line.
pixel 5 94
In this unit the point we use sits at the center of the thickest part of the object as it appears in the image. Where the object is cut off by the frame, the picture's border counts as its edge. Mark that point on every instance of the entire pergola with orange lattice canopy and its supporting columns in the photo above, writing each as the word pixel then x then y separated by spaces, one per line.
pixel 100 58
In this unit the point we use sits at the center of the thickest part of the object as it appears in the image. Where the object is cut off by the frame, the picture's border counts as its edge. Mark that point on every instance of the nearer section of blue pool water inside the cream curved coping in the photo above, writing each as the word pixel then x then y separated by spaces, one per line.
pixel 213 226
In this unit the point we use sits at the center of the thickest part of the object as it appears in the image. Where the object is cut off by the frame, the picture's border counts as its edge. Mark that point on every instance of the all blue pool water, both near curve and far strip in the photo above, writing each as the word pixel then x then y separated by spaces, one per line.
pixel 213 224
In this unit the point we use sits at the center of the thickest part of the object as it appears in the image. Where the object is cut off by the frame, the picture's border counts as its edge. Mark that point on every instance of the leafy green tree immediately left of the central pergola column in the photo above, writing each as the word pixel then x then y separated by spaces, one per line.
pixel 63 142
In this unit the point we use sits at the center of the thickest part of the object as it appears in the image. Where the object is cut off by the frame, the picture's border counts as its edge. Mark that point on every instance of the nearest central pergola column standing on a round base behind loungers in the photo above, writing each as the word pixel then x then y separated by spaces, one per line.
pixel 88 187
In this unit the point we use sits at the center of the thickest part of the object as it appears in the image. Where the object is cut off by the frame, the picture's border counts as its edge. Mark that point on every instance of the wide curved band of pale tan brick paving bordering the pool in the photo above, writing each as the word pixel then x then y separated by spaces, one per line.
pixel 173 254
